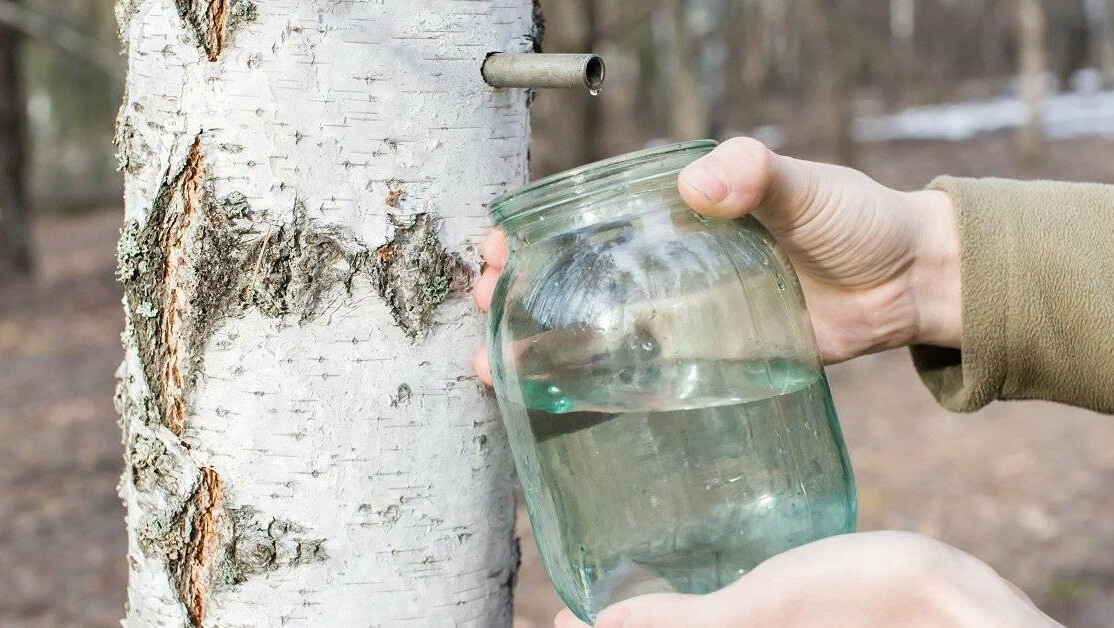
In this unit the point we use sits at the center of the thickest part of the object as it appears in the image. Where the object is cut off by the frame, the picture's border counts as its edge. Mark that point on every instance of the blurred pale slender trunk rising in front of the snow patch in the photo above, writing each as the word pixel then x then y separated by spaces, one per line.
pixel 1032 64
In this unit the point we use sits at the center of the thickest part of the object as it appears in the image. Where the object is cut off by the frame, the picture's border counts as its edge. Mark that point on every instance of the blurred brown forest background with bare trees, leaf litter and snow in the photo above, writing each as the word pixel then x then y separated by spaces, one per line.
pixel 904 90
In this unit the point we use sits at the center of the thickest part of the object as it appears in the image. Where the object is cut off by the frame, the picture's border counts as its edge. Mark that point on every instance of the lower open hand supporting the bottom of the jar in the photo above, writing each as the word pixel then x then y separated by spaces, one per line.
pixel 872 580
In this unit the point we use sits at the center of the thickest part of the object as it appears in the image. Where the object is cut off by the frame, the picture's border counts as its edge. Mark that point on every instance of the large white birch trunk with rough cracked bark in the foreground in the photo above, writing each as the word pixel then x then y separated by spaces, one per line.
pixel 306 182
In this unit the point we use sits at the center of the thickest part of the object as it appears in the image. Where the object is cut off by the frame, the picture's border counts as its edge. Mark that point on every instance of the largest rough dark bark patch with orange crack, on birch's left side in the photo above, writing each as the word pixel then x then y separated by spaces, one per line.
pixel 200 260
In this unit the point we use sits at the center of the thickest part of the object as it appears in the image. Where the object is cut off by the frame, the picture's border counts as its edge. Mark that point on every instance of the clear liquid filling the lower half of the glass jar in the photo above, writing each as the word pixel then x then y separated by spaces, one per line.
pixel 683 496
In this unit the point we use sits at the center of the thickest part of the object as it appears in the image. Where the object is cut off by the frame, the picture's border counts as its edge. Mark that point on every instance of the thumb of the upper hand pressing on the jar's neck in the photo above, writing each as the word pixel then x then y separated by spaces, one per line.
pixel 730 181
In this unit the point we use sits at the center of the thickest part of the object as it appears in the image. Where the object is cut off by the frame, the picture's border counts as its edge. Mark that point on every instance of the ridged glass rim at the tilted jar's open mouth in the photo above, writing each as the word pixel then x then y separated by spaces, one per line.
pixel 556 190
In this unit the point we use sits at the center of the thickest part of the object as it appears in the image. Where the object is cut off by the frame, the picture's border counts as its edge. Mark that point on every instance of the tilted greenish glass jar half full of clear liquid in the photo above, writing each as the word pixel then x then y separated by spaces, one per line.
pixel 661 386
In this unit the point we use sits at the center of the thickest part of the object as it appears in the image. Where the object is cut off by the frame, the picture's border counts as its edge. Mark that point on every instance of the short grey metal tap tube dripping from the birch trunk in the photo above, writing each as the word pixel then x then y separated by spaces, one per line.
pixel 544 71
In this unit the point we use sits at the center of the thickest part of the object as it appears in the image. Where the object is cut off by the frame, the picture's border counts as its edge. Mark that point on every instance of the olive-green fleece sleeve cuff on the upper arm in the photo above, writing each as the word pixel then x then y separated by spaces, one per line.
pixel 1038 268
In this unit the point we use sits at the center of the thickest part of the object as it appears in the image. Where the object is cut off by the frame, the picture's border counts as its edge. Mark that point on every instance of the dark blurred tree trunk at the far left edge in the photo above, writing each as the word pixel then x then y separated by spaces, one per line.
pixel 15 207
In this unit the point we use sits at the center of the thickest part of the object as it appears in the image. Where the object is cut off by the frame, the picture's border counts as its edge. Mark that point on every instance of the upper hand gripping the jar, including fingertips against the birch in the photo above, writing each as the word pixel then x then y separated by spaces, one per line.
pixel 880 268
